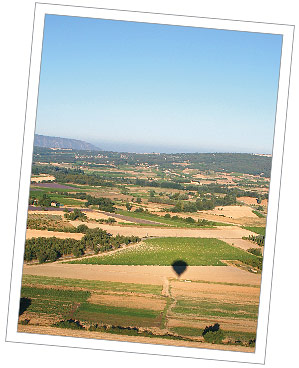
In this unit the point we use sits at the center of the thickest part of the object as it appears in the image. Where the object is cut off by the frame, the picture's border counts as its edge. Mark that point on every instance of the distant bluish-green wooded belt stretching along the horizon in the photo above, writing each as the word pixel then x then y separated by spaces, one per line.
pixel 227 162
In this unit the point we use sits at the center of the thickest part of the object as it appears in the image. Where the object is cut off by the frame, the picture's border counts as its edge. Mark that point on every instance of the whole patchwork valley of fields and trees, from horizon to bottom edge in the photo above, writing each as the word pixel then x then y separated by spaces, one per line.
pixel 103 235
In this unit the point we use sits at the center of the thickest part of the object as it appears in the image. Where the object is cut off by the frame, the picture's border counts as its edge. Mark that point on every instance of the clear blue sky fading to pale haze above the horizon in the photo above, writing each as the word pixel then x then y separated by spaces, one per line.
pixel 138 87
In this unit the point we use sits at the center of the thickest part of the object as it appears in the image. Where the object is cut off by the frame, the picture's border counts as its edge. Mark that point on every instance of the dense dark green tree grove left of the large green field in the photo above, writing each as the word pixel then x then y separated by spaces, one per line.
pixel 97 240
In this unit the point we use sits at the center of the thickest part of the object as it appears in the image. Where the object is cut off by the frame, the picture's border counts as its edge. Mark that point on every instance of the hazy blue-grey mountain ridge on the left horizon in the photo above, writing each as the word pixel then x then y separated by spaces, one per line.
pixel 66 143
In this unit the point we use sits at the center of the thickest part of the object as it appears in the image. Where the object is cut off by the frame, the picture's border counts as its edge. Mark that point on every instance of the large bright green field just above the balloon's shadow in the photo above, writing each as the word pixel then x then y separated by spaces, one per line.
pixel 164 251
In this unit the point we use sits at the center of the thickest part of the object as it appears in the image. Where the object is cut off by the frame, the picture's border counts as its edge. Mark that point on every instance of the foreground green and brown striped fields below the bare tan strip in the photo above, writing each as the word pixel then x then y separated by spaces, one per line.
pixel 107 307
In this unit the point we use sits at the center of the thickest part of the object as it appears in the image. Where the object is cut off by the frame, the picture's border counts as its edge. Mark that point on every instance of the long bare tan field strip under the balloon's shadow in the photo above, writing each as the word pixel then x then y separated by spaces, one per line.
pixel 151 275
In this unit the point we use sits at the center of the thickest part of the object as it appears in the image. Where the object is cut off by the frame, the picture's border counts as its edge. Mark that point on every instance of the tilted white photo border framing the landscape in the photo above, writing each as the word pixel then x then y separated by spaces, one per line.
pixel 278 144
